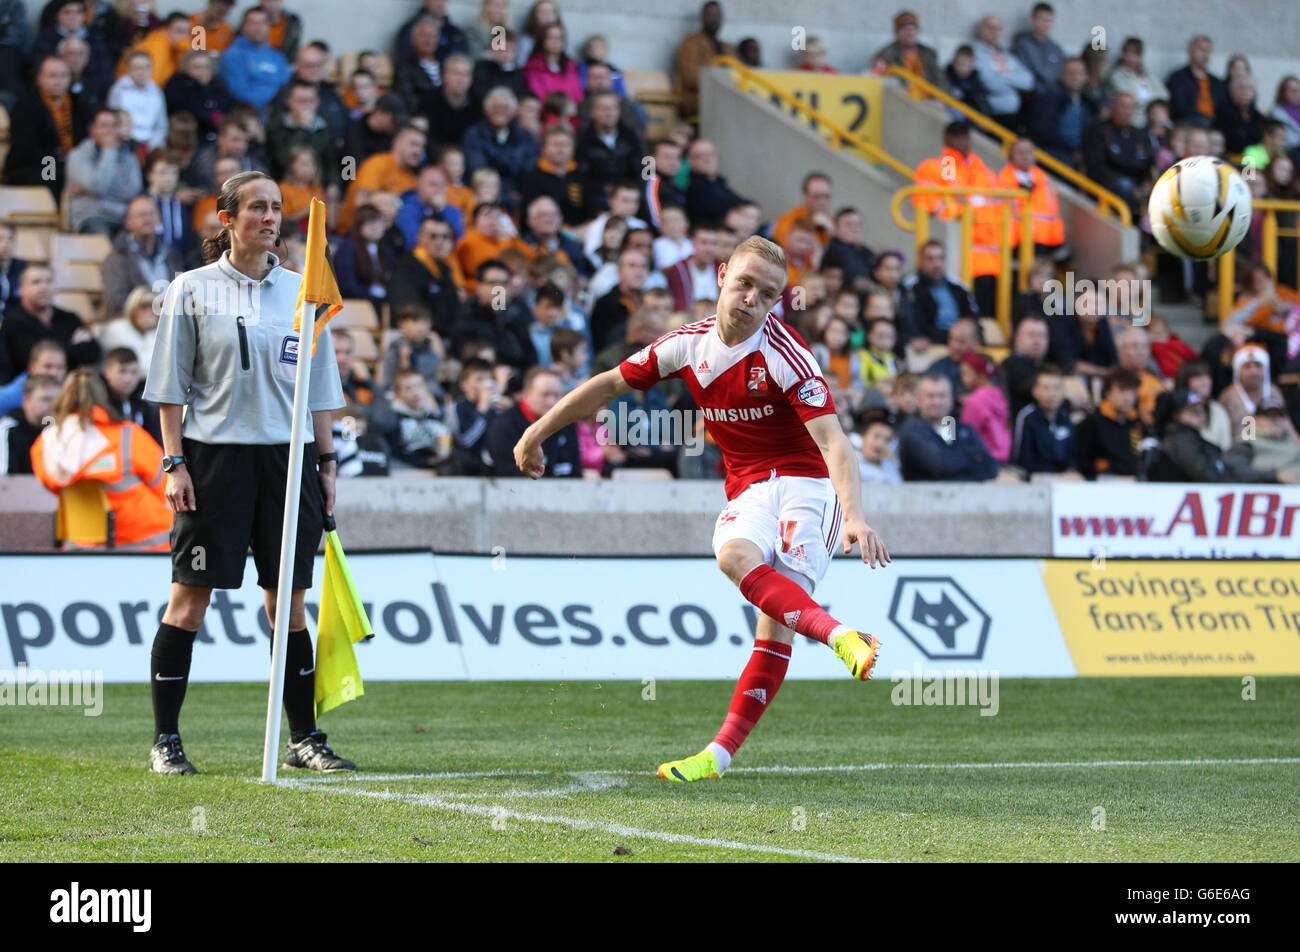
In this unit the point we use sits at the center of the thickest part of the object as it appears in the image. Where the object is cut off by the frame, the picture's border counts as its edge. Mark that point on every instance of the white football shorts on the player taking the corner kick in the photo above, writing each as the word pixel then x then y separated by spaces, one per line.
pixel 795 521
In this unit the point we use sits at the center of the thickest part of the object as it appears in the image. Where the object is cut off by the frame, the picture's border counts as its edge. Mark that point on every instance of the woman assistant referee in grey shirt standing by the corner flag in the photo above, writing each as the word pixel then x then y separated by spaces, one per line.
pixel 223 375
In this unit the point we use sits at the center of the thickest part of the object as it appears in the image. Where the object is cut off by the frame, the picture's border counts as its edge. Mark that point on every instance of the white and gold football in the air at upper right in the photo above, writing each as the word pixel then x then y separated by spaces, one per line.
pixel 1199 209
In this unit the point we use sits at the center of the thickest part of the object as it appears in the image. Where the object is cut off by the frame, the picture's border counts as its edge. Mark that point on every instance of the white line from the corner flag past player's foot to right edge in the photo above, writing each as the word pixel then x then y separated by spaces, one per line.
pixel 820 769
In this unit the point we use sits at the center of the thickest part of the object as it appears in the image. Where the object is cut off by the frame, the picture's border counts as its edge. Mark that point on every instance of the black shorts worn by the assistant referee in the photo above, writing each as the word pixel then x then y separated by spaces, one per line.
pixel 240 494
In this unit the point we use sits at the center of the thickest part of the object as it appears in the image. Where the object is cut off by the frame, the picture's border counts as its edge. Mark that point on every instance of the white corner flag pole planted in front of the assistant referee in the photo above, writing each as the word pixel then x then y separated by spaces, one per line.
pixel 289 544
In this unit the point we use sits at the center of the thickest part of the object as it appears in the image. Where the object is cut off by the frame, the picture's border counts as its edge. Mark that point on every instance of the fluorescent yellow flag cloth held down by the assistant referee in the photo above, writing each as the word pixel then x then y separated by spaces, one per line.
pixel 341 624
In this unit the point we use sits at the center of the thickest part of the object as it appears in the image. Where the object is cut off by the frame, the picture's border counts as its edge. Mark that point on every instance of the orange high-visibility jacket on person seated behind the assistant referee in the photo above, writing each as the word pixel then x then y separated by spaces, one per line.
pixel 131 468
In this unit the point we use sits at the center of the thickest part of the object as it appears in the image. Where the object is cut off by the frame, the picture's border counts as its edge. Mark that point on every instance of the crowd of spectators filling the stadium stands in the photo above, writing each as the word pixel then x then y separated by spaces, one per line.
pixel 495 198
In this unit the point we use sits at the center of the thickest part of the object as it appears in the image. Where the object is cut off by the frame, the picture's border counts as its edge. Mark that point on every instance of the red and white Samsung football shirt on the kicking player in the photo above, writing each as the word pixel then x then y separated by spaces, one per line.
pixel 755 397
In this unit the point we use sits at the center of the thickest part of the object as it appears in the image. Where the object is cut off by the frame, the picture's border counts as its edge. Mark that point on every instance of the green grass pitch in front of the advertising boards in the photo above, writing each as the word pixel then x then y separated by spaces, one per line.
pixel 566 772
